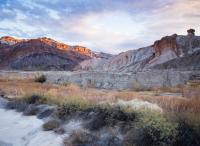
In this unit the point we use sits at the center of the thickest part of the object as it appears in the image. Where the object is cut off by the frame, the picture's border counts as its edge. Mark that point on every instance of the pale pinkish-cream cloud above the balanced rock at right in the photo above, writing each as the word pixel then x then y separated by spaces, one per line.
pixel 176 18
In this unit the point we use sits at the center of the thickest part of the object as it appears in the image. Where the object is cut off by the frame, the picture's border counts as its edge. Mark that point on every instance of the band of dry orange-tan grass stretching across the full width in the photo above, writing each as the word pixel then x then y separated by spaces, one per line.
pixel 73 94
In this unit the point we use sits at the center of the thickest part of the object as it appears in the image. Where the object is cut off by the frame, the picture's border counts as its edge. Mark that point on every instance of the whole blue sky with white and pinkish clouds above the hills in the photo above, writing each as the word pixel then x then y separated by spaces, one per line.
pixel 110 26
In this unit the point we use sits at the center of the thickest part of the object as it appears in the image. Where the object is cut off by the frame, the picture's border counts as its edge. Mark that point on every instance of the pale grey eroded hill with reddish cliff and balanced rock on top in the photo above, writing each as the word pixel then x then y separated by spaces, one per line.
pixel 171 52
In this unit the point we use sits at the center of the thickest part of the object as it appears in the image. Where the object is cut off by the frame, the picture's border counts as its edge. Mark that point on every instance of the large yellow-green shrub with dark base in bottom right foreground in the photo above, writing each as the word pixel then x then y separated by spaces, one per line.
pixel 156 129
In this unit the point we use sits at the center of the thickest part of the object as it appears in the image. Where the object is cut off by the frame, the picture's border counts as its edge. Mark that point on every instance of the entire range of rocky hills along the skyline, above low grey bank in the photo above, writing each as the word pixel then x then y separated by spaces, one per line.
pixel 171 52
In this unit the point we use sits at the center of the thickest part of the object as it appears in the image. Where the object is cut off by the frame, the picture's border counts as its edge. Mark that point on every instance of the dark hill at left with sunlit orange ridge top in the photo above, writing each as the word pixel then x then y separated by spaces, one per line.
pixel 40 54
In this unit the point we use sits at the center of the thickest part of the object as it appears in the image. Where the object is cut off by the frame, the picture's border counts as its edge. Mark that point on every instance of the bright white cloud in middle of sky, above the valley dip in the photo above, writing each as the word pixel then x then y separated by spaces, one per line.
pixel 103 30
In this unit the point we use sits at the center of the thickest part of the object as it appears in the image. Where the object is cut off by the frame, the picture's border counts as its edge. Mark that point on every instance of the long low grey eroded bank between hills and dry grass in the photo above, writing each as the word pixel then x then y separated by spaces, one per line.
pixel 105 80
